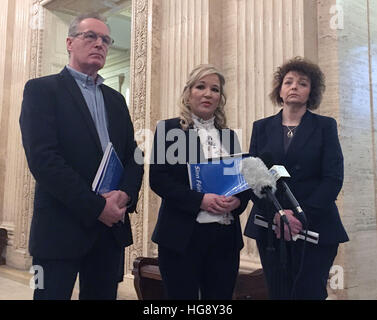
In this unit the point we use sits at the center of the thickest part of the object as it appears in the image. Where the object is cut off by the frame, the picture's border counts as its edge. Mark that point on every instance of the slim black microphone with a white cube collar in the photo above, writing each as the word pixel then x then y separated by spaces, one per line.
pixel 279 173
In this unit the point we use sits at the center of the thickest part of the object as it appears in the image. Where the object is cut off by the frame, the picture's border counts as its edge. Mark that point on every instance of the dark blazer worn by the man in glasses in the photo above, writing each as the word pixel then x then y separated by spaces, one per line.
pixel 63 151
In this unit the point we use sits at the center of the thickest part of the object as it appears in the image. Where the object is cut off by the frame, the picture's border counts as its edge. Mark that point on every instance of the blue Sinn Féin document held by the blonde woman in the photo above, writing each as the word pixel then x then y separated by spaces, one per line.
pixel 218 175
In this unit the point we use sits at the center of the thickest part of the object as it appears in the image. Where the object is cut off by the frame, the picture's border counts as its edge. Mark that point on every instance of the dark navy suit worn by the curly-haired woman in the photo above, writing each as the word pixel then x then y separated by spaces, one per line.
pixel 315 162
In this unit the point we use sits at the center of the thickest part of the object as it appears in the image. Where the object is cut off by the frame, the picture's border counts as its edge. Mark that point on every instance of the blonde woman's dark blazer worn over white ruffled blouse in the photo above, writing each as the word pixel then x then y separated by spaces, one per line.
pixel 181 205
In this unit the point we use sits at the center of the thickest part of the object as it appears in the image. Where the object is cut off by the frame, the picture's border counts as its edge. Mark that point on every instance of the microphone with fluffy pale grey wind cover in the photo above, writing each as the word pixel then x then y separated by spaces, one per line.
pixel 261 182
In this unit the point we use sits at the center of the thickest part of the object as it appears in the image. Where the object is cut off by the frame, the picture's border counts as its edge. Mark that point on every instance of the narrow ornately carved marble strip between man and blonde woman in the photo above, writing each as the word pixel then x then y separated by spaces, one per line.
pixel 142 17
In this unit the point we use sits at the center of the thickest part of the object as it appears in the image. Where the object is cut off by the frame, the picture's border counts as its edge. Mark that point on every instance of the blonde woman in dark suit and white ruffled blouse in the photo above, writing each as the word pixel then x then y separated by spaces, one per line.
pixel 198 235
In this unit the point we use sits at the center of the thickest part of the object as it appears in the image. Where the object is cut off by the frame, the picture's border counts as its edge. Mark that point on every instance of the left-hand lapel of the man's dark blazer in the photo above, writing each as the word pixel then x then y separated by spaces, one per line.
pixel 75 91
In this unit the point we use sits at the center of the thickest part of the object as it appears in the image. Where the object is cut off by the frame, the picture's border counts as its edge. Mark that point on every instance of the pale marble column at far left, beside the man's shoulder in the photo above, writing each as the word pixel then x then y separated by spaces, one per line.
pixel 17 181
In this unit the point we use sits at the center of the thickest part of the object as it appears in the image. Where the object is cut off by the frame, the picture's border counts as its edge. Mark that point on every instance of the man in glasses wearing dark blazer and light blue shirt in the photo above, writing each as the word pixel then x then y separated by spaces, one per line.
pixel 67 120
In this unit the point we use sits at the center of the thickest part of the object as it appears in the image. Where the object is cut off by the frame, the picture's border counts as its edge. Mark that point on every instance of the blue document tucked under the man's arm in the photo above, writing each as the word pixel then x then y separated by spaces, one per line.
pixel 109 173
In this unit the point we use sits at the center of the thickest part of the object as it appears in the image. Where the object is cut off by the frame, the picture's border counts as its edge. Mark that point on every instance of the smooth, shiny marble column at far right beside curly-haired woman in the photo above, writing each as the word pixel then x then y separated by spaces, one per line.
pixel 347 54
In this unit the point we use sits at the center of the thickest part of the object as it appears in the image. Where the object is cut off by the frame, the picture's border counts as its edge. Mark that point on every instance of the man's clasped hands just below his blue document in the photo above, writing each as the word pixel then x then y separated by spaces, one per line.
pixel 115 207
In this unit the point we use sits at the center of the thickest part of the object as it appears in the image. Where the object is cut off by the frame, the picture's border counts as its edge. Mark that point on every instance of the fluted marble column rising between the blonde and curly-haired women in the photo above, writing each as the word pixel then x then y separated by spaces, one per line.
pixel 257 36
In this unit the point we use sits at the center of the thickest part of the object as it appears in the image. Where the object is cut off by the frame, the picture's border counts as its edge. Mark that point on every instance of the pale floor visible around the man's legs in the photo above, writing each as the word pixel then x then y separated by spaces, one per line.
pixel 14 285
